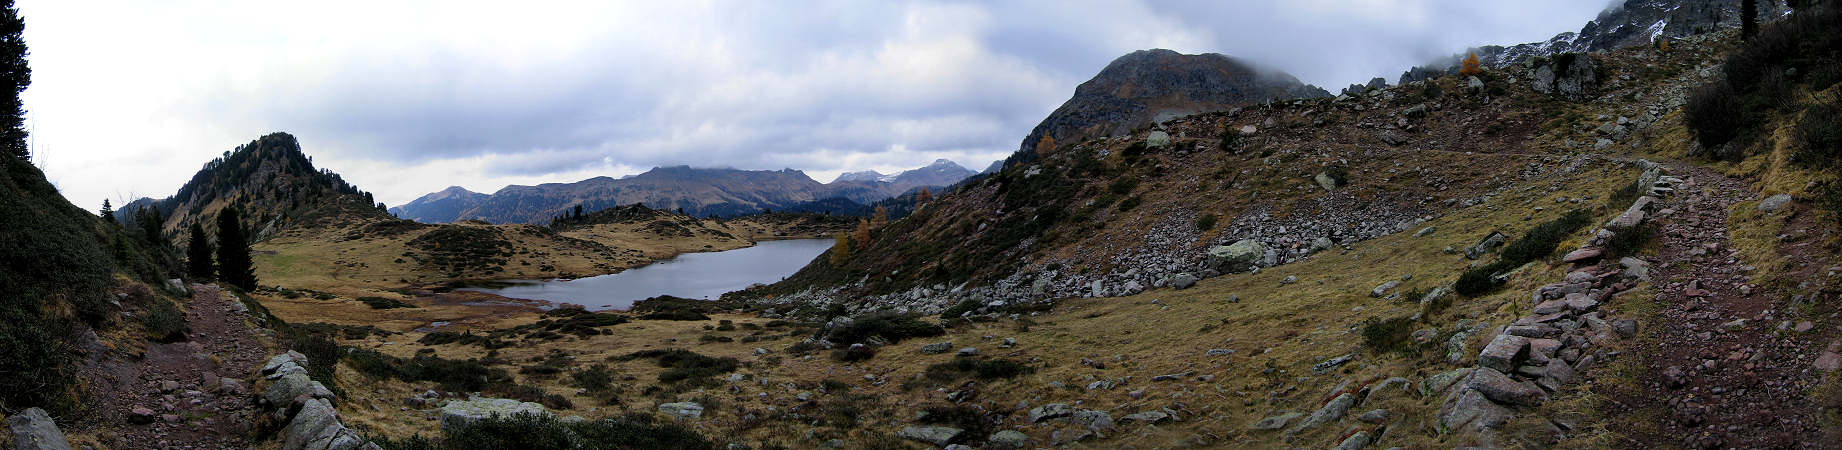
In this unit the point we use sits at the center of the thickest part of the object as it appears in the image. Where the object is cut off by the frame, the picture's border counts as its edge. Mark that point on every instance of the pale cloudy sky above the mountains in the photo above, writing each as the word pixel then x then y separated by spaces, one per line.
pixel 410 97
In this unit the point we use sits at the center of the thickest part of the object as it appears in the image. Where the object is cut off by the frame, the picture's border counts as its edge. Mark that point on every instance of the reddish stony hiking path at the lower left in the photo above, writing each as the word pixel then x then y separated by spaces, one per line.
pixel 192 394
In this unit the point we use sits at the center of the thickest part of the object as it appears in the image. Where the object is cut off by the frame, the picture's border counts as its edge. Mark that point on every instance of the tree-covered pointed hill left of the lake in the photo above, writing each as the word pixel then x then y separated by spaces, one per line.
pixel 272 182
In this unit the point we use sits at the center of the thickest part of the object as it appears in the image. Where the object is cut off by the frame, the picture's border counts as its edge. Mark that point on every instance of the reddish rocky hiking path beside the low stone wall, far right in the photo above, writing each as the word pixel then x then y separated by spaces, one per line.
pixel 1720 362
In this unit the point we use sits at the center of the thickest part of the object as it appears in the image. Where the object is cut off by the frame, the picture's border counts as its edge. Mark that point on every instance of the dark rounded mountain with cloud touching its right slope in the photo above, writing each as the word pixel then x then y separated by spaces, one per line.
pixel 1152 86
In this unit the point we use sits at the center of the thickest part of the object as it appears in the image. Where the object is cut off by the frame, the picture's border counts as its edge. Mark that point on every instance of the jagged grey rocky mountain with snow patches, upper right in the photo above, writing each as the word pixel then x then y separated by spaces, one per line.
pixel 1633 23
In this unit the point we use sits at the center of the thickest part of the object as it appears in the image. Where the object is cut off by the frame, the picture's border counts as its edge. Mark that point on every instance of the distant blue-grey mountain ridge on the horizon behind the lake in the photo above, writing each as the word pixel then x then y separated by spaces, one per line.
pixel 694 191
